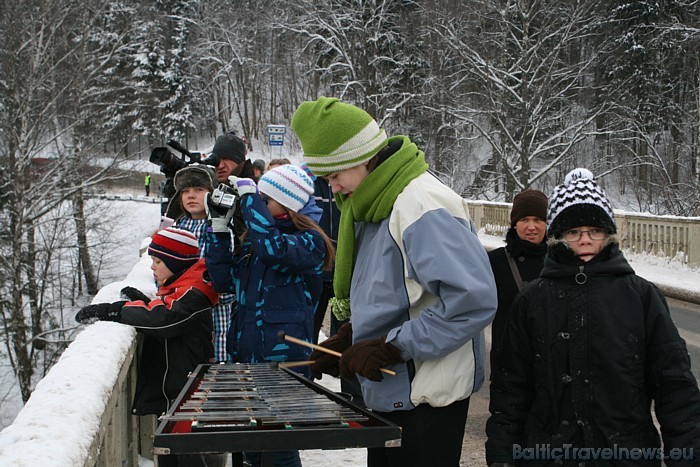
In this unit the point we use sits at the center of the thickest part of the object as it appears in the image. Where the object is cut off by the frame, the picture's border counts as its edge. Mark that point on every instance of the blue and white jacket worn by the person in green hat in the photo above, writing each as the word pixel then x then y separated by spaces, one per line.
pixel 423 279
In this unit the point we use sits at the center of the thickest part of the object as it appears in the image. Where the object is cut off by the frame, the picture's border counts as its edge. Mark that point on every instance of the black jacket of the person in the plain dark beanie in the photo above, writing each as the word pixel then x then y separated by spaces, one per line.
pixel 529 258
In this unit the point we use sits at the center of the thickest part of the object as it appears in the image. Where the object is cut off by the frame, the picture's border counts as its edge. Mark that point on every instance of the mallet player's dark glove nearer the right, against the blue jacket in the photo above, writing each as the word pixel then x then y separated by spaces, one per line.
pixel 367 357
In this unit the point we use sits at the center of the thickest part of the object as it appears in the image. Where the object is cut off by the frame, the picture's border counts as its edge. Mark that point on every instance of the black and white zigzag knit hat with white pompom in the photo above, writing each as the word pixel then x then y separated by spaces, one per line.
pixel 577 202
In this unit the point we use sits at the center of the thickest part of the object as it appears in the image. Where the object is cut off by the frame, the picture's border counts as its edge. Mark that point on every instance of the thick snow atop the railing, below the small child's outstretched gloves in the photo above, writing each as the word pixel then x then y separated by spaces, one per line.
pixel 55 428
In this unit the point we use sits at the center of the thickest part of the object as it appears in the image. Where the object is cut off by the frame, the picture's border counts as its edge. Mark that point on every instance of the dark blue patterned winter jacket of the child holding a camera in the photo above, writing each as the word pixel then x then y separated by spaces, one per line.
pixel 277 279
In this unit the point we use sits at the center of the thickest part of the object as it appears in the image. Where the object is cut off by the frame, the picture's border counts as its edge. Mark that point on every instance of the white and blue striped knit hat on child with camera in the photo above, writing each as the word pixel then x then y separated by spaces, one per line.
pixel 289 185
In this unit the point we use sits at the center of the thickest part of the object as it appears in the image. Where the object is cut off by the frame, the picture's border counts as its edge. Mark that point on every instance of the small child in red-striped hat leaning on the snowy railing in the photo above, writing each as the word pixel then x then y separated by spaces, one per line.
pixel 177 325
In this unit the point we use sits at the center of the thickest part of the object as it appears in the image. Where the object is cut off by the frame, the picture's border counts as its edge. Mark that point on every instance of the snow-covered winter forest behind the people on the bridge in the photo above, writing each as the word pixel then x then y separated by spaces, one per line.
pixel 500 94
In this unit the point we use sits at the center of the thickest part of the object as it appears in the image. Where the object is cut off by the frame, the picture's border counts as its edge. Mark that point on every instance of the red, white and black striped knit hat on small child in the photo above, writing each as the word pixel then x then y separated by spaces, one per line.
pixel 177 248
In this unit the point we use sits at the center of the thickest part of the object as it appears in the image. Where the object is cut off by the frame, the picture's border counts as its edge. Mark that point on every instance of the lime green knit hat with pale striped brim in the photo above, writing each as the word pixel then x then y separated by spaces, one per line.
pixel 336 136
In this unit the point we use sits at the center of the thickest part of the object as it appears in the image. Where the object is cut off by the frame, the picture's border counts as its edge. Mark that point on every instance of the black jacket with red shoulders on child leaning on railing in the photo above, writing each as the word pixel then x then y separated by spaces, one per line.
pixel 178 336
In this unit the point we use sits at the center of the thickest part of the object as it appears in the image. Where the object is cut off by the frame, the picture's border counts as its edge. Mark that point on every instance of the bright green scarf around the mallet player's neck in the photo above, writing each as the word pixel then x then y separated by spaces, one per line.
pixel 372 201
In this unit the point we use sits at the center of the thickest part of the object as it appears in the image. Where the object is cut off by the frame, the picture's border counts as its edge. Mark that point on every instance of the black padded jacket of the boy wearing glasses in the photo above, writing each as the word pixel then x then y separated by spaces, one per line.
pixel 587 348
